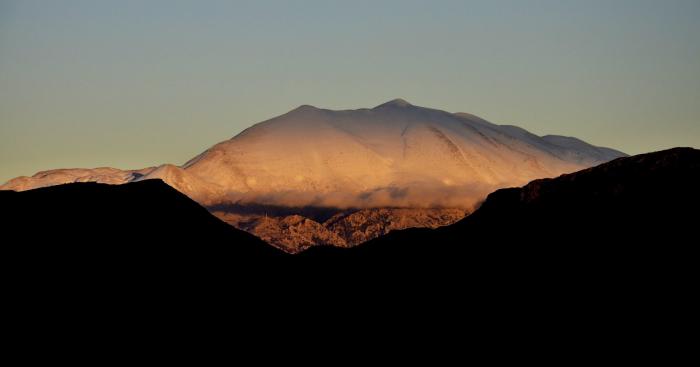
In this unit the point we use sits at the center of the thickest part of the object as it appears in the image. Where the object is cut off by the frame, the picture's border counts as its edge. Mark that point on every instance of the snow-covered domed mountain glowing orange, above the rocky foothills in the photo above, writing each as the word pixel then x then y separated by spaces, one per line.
pixel 394 155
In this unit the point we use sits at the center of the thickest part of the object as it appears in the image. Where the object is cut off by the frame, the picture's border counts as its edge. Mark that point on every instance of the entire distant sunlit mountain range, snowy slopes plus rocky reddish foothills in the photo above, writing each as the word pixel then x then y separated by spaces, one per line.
pixel 439 165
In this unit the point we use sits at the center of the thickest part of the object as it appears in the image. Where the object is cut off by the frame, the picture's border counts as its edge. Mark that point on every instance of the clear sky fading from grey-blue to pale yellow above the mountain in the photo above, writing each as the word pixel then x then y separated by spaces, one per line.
pixel 130 84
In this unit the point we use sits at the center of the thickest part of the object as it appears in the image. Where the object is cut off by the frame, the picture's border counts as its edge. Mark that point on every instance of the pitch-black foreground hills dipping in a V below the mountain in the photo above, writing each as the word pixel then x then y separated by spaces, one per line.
pixel 606 255
